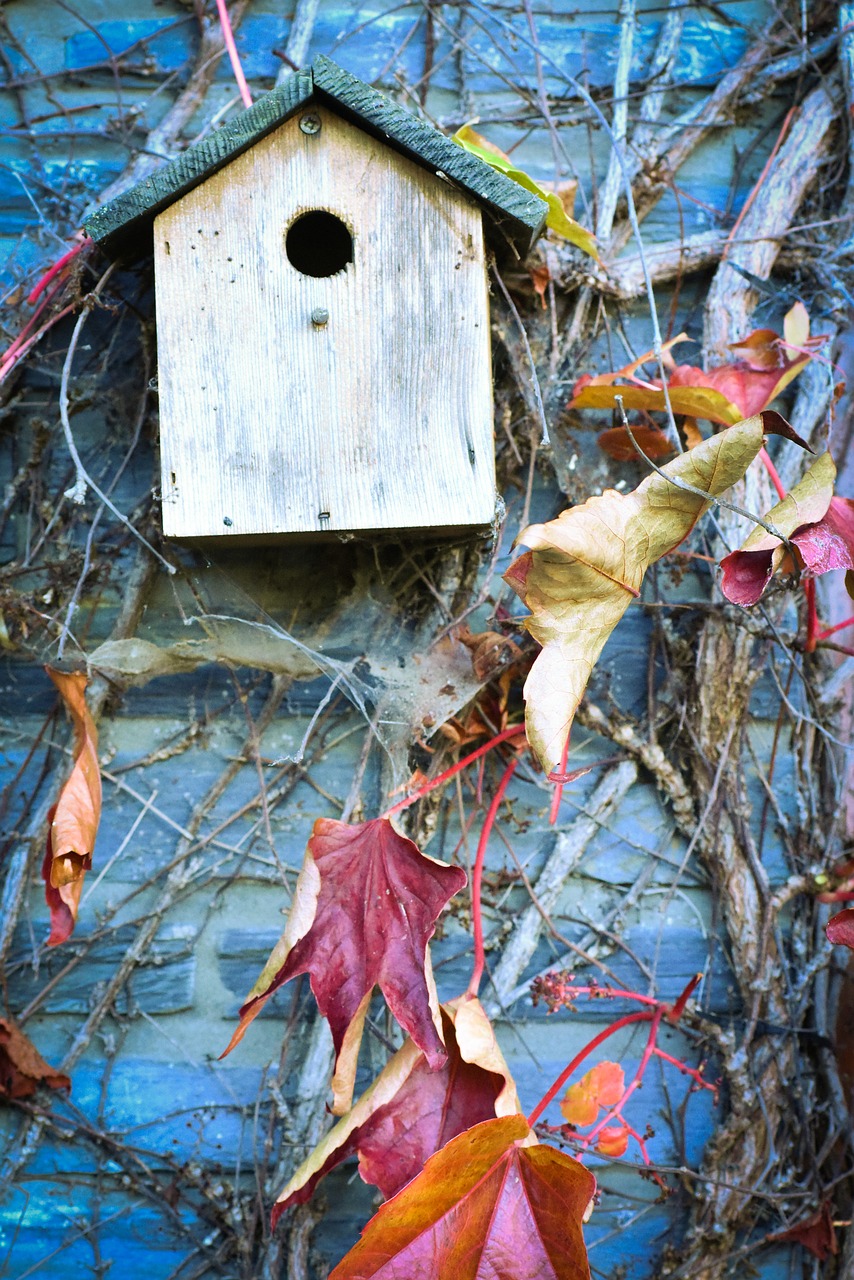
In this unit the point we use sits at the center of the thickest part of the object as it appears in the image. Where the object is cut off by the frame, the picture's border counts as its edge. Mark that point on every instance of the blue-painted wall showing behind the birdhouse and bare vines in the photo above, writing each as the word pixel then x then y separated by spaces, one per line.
pixel 165 747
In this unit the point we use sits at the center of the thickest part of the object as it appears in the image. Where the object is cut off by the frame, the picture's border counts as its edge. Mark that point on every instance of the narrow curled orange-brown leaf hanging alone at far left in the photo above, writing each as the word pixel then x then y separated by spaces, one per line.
pixel 75 819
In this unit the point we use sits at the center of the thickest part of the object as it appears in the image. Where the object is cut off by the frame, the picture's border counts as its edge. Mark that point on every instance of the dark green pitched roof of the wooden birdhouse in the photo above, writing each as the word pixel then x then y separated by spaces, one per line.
pixel 122 228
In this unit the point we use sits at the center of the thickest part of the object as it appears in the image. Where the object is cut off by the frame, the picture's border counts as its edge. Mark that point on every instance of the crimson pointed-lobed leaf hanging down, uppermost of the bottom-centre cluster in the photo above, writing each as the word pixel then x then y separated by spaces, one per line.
pixel 364 911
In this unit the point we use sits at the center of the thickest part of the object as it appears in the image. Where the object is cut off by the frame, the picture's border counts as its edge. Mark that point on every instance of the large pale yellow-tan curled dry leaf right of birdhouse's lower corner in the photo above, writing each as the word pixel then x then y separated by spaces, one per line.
pixel 587 566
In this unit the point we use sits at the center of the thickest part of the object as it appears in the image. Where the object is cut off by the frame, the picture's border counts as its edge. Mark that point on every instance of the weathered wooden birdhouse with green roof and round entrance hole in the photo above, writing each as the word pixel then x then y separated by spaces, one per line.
pixel 323 328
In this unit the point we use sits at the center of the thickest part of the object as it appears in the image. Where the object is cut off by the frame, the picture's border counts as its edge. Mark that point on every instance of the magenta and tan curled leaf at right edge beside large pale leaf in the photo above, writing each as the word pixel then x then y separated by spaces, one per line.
pixel 819 525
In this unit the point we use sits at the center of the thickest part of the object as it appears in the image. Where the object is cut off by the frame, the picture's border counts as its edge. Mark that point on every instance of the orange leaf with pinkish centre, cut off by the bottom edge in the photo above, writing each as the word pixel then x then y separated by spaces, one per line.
pixel 483 1208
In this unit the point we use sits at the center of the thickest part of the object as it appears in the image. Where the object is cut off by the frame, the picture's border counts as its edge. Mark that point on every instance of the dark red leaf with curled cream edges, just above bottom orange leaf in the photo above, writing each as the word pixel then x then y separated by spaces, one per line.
pixel 410 1112
